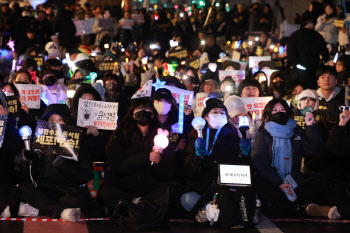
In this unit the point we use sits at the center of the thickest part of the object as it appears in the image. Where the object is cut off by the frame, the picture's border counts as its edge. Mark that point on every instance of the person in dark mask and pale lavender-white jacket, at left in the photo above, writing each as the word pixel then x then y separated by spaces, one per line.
pixel 52 91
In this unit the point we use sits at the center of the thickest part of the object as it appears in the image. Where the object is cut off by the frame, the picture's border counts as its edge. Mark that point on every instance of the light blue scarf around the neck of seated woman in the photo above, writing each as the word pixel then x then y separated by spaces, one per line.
pixel 282 146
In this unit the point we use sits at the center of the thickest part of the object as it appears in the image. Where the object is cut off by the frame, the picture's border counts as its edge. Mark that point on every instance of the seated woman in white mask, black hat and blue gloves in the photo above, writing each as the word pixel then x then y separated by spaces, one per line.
pixel 218 145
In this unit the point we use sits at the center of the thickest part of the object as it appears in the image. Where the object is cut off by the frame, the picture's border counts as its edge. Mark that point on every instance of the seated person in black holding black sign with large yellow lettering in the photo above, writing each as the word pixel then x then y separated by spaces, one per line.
pixel 56 186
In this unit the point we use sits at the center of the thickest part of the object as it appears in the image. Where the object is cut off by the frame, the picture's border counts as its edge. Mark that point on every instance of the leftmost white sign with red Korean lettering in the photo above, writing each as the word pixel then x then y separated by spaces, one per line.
pixel 30 95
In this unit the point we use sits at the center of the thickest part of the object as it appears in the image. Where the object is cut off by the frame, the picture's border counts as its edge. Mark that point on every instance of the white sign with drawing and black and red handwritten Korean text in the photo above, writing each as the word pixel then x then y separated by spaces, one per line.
pixel 102 115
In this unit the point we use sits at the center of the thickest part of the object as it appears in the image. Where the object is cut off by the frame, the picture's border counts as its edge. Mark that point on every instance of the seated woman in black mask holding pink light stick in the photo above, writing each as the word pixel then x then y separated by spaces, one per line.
pixel 129 150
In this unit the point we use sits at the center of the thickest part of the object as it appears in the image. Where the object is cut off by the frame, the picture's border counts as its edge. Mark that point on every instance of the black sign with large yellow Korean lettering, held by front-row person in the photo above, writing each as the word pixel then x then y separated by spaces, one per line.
pixel 56 139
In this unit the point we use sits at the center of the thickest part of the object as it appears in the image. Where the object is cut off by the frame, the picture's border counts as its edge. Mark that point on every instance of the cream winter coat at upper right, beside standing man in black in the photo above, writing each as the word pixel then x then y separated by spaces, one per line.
pixel 327 30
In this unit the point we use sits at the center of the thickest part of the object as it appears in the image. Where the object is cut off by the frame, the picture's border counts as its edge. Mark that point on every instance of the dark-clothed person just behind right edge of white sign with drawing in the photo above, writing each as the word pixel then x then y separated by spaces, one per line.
pixel 113 85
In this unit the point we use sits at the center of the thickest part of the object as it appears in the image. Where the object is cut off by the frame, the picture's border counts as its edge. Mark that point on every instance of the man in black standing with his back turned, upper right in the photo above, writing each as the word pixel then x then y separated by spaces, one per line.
pixel 304 49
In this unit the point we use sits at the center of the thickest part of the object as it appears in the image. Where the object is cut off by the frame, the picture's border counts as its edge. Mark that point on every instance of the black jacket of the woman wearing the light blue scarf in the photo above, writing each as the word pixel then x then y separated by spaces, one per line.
pixel 304 143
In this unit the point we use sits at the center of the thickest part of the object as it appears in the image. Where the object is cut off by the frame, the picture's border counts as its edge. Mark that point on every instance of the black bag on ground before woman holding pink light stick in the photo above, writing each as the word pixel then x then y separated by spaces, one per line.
pixel 143 212
